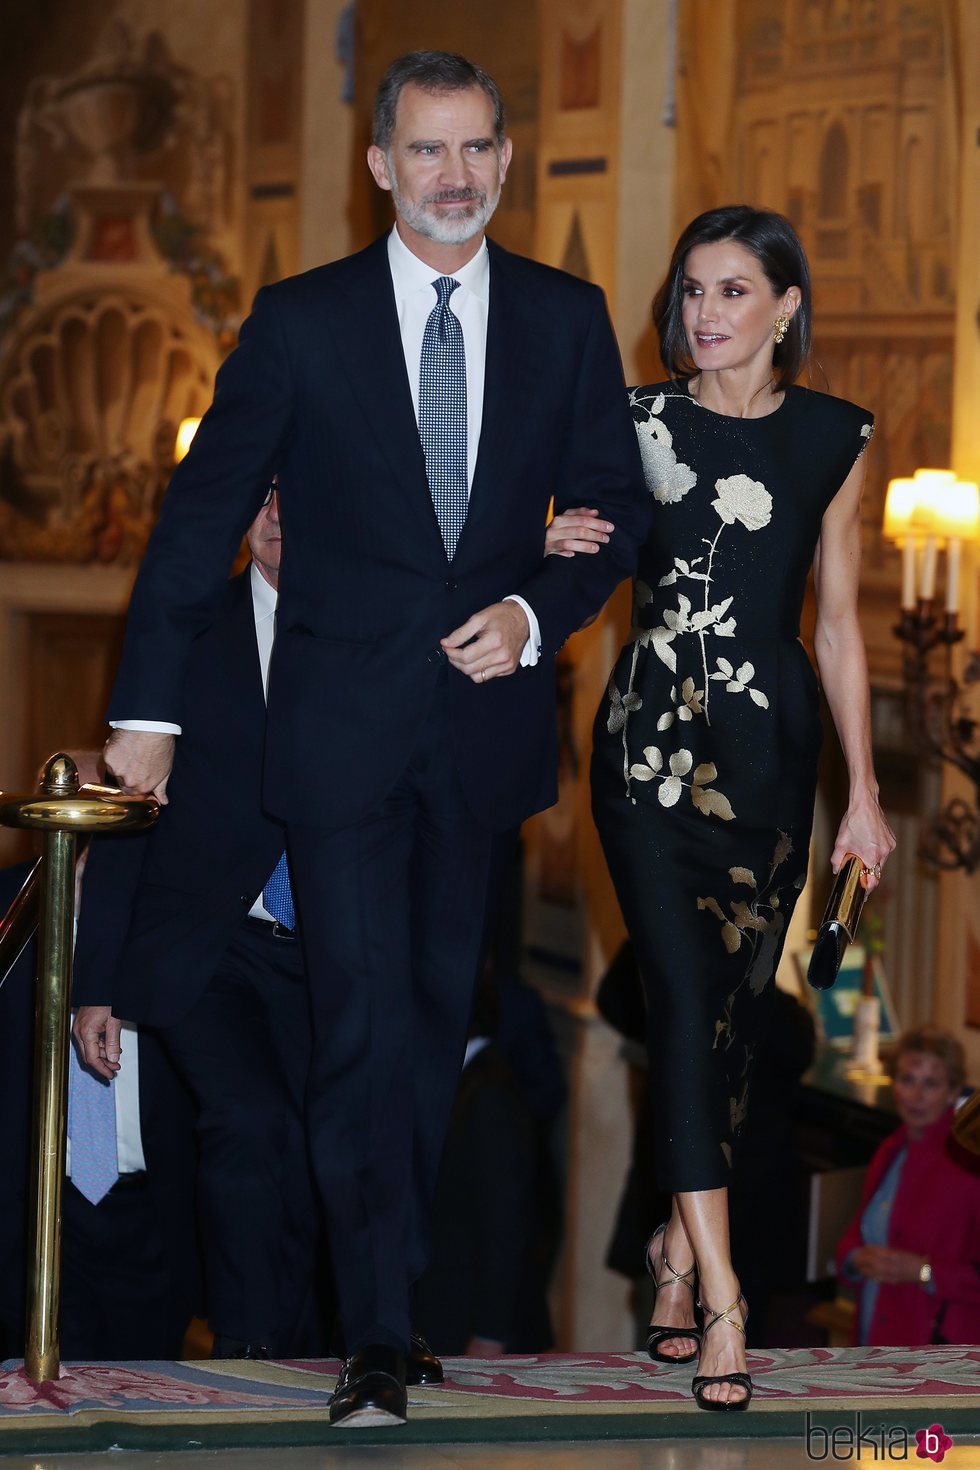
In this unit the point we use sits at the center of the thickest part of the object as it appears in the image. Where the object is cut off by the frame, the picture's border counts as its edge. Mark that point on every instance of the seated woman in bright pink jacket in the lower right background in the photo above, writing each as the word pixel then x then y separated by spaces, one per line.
pixel 915 1246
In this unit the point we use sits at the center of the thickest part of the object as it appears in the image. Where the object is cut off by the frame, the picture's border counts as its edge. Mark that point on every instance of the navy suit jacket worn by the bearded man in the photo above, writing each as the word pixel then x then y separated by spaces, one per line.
pixel 318 392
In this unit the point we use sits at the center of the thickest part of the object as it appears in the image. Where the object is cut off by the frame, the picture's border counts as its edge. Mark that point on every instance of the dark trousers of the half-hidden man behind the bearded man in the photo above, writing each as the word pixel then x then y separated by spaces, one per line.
pixel 245 1053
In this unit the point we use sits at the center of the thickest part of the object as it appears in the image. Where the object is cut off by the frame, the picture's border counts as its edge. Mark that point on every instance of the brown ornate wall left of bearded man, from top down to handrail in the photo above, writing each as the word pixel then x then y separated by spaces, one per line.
pixel 117 302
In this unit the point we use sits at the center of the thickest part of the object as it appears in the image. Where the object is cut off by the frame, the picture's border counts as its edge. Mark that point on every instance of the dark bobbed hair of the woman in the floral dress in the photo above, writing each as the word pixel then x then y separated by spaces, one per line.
pixel 777 246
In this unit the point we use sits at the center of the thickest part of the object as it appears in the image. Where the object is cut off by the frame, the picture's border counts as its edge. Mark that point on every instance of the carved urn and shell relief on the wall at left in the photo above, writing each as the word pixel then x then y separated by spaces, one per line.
pixel 117 305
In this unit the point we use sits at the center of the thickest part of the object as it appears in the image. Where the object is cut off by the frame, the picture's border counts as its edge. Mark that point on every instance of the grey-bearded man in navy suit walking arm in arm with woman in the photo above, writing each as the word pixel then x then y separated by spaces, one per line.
pixel 424 402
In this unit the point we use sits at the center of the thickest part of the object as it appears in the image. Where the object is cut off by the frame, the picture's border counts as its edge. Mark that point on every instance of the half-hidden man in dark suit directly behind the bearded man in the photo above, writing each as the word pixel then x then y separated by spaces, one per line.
pixel 220 980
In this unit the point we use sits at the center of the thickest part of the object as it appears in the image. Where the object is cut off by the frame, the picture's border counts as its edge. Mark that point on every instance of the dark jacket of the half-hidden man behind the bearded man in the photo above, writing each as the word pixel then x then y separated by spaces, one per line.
pixel 190 881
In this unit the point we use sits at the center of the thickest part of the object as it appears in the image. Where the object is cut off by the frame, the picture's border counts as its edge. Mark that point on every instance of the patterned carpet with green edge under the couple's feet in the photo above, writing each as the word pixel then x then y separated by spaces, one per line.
pixel 608 1396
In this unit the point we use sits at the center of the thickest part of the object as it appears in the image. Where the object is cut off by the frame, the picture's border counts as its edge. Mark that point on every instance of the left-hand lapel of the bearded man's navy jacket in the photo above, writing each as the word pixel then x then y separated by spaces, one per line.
pixel 370 345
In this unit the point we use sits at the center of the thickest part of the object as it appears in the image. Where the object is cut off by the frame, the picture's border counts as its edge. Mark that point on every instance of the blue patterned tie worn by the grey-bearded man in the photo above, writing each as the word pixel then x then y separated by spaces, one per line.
pixel 443 414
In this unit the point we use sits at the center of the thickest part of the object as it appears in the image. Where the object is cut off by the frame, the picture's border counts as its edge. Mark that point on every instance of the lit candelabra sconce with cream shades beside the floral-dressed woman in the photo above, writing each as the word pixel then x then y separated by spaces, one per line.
pixel 931 514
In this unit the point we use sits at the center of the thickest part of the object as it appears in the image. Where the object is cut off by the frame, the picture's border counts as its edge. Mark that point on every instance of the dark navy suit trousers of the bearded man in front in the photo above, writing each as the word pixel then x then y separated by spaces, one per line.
pixel 392 911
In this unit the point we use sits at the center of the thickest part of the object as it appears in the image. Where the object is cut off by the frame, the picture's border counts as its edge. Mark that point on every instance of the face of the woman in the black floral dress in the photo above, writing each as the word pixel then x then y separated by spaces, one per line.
pixel 729 308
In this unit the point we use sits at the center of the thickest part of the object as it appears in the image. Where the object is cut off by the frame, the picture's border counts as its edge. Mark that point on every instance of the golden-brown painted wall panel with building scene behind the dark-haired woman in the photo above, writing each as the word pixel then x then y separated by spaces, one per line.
pixel 841 115
